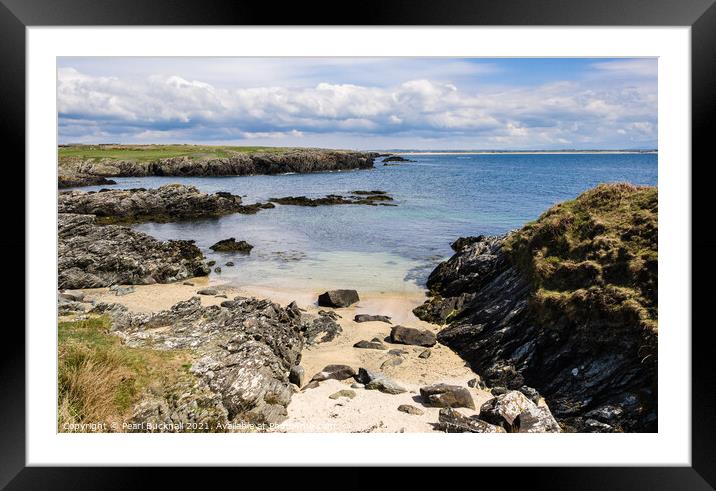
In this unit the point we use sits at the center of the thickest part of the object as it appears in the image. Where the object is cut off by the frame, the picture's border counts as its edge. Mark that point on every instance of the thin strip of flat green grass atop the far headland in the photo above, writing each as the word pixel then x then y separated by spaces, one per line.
pixel 145 153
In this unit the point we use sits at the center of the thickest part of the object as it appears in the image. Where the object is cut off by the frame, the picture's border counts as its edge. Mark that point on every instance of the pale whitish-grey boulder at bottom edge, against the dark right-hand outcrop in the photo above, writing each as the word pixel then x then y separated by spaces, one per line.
pixel 516 413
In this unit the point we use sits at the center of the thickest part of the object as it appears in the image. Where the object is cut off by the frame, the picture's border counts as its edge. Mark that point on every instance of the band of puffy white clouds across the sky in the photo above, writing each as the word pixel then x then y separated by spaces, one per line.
pixel 170 107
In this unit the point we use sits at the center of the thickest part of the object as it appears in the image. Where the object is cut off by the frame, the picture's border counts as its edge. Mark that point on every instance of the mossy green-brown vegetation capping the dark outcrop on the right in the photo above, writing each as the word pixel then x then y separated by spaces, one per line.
pixel 593 260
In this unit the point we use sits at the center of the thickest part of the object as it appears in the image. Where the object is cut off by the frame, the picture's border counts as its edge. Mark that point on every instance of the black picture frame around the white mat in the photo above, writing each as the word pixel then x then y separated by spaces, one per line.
pixel 16 15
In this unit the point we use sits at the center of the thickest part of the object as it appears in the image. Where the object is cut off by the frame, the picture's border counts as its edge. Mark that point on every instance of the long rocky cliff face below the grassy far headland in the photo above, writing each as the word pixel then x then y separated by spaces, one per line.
pixel 240 164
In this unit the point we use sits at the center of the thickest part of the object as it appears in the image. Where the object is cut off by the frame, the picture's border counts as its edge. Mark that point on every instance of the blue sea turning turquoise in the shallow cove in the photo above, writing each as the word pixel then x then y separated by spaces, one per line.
pixel 387 249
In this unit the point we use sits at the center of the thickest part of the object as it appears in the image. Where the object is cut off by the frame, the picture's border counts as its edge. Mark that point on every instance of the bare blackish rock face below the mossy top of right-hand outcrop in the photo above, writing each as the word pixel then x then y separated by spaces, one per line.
pixel 486 299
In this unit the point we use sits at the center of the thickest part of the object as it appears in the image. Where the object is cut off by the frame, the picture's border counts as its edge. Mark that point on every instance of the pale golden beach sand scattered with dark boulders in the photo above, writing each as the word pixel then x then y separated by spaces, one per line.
pixel 311 410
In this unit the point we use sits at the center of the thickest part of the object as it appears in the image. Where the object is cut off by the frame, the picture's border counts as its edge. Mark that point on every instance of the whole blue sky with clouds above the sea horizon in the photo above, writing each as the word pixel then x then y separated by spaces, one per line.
pixel 361 103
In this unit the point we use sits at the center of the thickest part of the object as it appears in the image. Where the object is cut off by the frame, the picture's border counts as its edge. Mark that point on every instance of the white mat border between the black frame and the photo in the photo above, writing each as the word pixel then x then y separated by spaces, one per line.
pixel 671 446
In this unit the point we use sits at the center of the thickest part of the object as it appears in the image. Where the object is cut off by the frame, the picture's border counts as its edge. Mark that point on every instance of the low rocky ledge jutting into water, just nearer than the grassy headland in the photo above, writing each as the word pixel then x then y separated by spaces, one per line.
pixel 166 203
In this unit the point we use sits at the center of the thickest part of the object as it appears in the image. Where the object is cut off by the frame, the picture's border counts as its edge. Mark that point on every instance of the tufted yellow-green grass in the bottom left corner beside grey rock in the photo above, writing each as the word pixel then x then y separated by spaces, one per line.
pixel 99 379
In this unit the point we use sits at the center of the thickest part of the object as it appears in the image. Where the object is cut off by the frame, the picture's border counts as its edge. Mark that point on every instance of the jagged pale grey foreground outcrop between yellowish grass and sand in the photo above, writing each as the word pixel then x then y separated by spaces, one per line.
pixel 243 352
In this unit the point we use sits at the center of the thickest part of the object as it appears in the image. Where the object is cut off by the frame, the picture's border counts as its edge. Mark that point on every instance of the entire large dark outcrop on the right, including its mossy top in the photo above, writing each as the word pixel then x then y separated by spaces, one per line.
pixel 566 305
